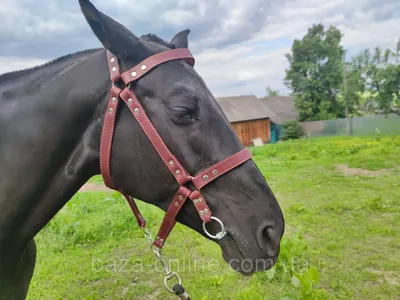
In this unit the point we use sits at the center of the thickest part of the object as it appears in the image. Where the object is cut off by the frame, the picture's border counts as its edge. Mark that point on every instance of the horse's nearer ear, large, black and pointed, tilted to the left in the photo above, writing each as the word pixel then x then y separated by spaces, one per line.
pixel 115 37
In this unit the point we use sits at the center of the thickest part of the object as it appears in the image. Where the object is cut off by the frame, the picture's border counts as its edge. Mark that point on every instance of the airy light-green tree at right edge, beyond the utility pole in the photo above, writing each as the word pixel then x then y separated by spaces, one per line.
pixel 378 79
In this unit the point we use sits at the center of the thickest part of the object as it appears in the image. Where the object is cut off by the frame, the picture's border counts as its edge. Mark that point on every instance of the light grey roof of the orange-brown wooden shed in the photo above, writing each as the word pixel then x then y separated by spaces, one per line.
pixel 244 108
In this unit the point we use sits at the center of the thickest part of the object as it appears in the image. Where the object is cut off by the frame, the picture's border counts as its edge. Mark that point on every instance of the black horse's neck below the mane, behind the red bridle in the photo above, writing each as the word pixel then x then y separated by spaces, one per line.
pixel 49 147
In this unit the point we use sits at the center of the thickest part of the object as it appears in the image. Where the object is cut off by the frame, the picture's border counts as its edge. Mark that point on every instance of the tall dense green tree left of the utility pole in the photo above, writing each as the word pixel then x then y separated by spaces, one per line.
pixel 315 73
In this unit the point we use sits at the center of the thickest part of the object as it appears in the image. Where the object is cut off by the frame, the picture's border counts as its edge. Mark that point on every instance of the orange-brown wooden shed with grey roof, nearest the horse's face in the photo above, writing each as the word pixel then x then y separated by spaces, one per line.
pixel 249 117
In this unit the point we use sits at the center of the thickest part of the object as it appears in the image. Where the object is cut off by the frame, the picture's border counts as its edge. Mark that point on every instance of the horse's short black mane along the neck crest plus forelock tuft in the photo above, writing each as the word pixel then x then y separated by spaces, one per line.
pixel 18 73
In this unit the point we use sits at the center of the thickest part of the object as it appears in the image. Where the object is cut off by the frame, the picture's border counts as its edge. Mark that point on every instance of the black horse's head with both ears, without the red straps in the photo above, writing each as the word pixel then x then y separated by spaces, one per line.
pixel 195 129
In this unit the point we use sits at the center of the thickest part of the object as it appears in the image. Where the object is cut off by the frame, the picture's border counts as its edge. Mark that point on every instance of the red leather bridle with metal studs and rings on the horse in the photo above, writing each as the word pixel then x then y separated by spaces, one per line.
pixel 178 171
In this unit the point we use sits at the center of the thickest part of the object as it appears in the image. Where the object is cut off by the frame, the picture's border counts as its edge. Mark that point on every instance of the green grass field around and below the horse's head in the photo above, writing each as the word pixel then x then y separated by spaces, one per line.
pixel 341 240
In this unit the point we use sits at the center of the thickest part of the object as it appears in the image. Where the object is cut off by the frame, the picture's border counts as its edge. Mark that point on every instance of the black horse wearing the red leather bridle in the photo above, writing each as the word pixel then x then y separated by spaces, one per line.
pixel 52 120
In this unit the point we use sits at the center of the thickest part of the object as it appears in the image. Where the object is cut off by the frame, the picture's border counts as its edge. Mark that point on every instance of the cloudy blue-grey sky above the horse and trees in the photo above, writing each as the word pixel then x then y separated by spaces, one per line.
pixel 239 45
